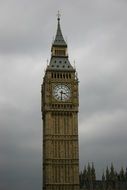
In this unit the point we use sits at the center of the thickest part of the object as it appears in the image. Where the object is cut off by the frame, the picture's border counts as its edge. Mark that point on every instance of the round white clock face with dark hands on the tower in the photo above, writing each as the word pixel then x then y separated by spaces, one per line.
pixel 61 92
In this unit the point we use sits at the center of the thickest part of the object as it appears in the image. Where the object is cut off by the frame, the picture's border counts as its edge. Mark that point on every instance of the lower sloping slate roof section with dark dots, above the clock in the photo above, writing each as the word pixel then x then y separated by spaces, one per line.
pixel 60 63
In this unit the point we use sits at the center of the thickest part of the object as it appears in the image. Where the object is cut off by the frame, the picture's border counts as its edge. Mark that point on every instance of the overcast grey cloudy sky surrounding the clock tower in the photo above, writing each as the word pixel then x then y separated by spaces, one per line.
pixel 96 32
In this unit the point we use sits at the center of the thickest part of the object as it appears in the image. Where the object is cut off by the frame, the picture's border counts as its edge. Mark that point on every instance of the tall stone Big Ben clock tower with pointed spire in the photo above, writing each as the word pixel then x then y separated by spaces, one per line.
pixel 60 101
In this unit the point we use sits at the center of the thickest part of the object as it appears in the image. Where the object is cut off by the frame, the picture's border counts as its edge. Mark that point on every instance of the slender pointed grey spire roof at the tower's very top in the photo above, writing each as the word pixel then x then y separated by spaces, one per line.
pixel 59 40
